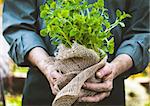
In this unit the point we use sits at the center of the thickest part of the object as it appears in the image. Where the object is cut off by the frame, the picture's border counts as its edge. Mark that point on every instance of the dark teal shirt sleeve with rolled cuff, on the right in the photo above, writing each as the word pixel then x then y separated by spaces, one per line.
pixel 136 37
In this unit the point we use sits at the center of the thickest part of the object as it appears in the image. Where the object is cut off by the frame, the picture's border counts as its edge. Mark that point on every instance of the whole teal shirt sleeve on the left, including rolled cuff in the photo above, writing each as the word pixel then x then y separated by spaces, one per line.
pixel 19 28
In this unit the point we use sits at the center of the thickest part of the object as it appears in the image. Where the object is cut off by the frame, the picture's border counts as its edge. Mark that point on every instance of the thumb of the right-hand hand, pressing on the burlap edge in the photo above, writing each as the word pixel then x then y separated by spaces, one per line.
pixel 106 70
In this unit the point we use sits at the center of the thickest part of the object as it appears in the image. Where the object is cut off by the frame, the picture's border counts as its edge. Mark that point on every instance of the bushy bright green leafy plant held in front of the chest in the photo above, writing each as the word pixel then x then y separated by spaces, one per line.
pixel 76 20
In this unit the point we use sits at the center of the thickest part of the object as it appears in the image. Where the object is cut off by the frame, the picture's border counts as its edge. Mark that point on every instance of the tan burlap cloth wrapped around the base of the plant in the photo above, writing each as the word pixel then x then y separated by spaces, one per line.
pixel 78 64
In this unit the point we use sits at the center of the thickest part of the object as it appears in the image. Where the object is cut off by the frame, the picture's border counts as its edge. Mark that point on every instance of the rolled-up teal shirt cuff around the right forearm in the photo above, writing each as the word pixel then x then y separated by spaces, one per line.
pixel 133 49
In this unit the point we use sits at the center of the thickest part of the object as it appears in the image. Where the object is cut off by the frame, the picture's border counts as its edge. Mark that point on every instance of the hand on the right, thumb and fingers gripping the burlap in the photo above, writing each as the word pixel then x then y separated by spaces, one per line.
pixel 104 88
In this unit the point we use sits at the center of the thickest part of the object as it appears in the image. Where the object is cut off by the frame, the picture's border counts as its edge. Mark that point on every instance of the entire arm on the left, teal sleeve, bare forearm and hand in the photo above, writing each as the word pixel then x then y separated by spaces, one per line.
pixel 19 29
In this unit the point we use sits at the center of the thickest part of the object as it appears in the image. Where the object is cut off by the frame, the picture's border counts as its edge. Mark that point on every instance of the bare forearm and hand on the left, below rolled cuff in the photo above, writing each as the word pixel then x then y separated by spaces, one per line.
pixel 40 58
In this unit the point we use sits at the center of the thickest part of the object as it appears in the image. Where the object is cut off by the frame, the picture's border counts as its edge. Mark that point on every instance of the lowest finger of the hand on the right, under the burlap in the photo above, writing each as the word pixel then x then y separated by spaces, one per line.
pixel 95 98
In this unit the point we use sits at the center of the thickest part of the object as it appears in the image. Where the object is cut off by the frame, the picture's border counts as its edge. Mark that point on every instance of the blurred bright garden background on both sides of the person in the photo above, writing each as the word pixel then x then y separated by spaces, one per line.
pixel 12 77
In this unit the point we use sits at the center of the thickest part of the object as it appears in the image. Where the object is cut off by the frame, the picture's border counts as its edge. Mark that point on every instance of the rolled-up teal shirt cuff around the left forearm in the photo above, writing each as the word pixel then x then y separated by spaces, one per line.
pixel 21 46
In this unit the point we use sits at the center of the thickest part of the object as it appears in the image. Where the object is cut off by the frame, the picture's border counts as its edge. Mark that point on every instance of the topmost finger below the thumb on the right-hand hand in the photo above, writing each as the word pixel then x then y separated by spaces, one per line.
pixel 98 87
